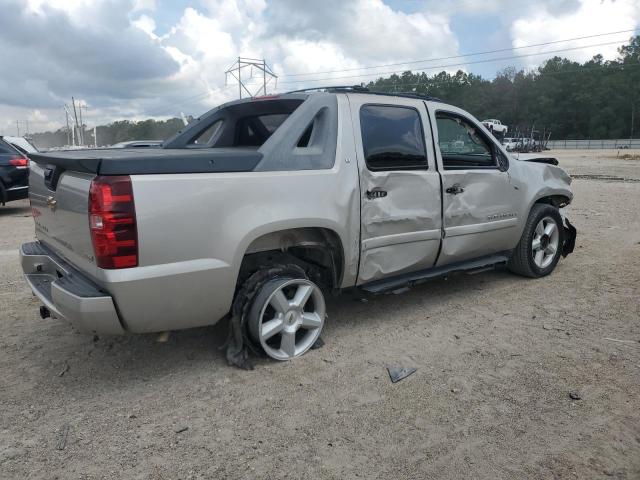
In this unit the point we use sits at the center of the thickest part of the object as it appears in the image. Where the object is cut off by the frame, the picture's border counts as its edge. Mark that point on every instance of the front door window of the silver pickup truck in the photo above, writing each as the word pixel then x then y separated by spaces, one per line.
pixel 461 145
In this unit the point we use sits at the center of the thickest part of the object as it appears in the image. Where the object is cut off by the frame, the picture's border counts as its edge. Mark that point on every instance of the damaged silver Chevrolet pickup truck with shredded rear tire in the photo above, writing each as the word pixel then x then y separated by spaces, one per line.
pixel 263 205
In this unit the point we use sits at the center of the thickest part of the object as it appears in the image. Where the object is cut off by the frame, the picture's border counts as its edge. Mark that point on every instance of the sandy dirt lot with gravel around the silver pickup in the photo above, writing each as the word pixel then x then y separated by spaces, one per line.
pixel 497 358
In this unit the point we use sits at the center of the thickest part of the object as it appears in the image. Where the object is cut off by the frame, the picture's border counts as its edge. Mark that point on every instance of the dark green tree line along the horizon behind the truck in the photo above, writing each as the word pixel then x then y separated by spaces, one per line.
pixel 596 99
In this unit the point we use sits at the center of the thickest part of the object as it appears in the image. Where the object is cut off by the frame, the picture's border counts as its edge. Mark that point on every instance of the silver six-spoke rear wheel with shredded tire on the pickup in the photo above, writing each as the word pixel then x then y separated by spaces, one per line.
pixel 286 316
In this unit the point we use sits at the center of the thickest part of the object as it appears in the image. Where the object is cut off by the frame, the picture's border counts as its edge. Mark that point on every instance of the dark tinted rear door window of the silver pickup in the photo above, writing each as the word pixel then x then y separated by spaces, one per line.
pixel 392 138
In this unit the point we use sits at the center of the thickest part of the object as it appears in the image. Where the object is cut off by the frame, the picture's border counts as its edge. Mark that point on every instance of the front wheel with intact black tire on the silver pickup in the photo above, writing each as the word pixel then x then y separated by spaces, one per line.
pixel 527 259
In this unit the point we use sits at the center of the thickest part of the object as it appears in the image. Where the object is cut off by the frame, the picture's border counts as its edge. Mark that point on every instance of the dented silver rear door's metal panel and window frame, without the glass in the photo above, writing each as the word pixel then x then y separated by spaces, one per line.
pixel 401 226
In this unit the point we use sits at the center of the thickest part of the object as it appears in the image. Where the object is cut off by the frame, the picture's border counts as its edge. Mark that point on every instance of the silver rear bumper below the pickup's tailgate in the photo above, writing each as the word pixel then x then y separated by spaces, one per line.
pixel 66 293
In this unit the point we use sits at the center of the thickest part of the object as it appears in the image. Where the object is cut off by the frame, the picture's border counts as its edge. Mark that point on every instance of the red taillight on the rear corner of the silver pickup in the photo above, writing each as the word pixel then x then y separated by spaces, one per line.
pixel 112 220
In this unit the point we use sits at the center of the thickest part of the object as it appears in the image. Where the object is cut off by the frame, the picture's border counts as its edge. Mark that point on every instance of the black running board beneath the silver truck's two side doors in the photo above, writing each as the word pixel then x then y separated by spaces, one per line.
pixel 476 265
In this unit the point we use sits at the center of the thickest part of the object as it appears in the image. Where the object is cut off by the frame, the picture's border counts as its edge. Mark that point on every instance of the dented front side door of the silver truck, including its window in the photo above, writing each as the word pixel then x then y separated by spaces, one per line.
pixel 480 203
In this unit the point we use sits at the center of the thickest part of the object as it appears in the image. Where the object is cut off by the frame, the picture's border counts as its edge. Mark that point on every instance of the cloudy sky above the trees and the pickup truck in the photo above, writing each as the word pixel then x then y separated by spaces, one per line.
pixel 140 58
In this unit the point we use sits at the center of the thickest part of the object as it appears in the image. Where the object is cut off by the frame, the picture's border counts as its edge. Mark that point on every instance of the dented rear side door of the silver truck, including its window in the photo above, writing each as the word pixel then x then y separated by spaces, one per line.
pixel 399 186
